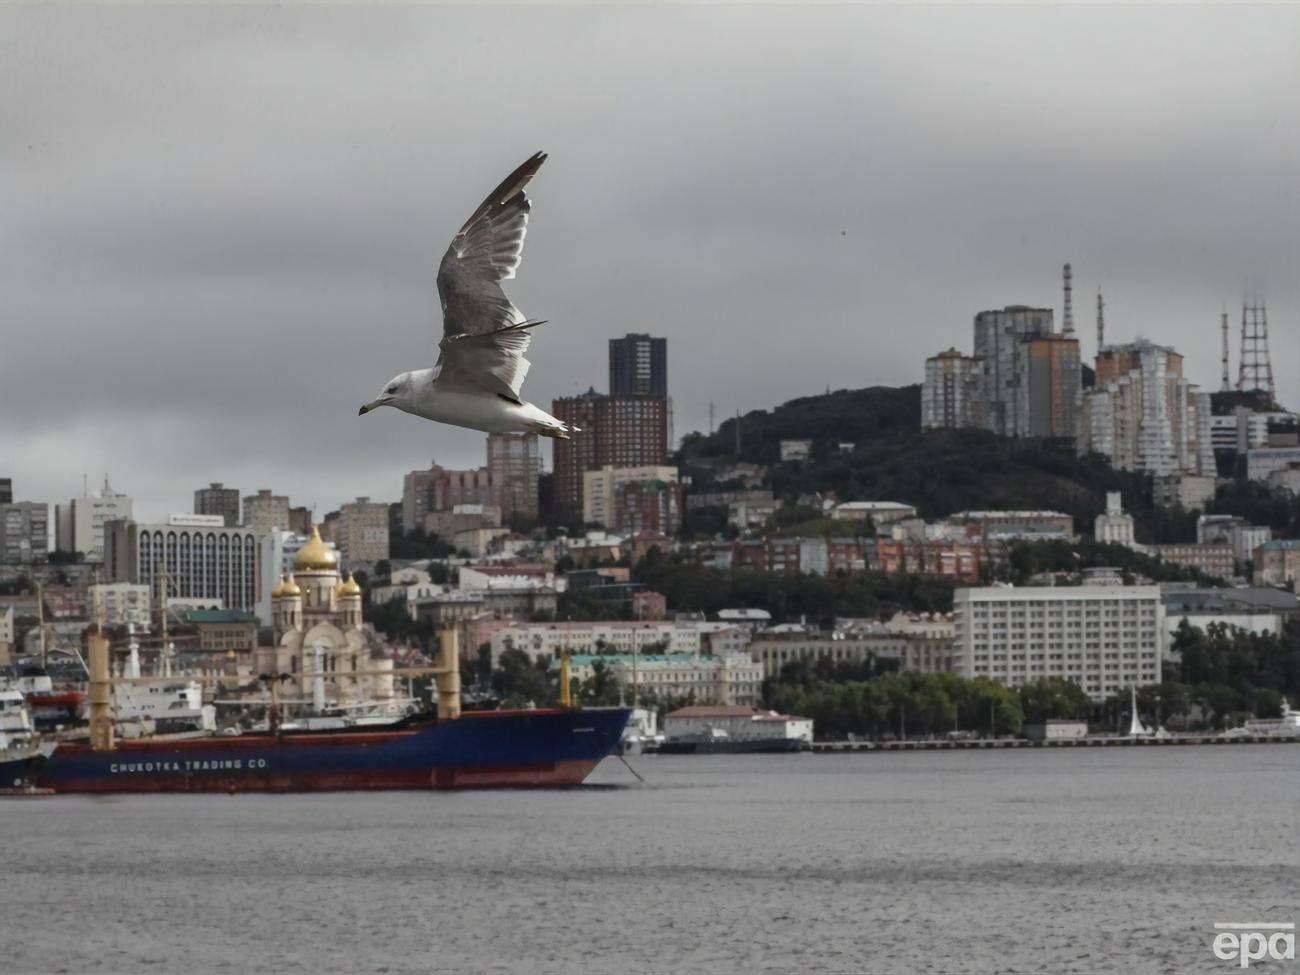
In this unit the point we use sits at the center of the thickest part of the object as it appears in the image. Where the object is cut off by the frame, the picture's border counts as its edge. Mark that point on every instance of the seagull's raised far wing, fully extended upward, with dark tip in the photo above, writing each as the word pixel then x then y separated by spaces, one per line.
pixel 484 254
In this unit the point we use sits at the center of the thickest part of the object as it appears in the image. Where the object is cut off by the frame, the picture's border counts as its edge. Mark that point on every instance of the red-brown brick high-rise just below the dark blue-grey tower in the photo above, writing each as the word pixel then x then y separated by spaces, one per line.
pixel 614 432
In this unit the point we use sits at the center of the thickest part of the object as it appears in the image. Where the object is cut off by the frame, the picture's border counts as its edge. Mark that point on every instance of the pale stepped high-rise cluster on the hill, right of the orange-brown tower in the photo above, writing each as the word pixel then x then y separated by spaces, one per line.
pixel 1145 417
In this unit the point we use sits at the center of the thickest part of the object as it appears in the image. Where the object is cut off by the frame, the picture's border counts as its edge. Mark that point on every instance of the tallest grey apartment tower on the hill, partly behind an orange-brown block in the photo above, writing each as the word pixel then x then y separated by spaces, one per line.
pixel 999 337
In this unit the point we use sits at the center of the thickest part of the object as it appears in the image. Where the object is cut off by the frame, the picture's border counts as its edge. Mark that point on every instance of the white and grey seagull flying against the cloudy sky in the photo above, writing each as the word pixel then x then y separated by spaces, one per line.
pixel 482 363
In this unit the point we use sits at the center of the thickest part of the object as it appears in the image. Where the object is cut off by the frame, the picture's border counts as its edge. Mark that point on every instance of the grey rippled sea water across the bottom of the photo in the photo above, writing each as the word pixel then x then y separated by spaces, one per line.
pixel 1099 861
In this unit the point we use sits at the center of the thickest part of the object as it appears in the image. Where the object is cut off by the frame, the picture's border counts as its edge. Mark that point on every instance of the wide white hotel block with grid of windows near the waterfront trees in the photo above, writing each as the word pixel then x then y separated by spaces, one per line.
pixel 1104 639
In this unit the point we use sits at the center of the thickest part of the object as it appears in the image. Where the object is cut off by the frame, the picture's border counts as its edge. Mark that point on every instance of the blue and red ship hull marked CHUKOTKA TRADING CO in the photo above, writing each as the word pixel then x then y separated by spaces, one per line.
pixel 480 749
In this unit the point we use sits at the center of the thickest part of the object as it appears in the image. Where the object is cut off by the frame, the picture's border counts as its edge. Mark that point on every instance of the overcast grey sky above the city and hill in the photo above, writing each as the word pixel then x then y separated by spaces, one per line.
pixel 220 228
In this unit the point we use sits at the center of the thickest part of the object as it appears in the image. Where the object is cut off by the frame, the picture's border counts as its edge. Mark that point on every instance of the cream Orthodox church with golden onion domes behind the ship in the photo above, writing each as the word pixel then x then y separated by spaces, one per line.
pixel 317 616
